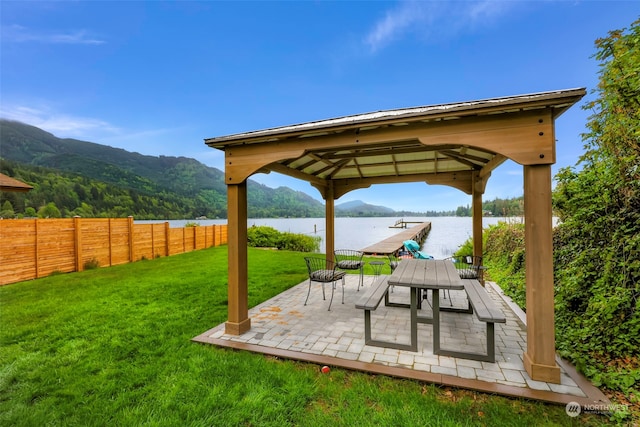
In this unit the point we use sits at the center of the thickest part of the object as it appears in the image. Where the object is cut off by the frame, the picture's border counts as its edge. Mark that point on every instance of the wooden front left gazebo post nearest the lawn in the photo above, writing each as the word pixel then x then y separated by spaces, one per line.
pixel 238 309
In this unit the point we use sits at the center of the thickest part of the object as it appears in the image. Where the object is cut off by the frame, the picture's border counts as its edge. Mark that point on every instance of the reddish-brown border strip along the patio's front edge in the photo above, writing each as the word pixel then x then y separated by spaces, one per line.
pixel 406 373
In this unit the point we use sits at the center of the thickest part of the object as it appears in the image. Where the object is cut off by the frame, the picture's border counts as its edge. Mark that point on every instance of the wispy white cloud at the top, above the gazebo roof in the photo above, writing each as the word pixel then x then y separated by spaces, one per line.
pixel 427 20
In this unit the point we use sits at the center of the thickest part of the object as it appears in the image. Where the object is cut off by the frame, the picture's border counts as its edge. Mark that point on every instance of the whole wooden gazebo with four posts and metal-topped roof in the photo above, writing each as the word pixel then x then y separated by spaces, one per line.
pixel 456 144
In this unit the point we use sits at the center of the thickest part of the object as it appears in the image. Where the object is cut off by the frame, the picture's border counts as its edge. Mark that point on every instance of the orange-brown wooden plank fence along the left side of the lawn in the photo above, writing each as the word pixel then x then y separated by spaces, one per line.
pixel 32 248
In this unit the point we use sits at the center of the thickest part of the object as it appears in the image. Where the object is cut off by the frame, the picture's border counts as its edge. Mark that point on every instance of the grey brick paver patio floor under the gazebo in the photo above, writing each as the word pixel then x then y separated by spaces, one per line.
pixel 285 327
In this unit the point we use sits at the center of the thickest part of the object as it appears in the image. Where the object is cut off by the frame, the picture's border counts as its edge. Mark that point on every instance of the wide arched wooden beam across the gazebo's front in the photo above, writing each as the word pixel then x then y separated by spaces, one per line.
pixel 525 137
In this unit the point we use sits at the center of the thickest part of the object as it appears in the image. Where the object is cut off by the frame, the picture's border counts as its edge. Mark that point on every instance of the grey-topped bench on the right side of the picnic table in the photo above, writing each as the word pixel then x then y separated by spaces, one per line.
pixel 486 311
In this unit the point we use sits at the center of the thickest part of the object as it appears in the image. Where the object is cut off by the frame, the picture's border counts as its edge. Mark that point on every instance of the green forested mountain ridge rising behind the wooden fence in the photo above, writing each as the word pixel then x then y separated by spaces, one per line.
pixel 88 179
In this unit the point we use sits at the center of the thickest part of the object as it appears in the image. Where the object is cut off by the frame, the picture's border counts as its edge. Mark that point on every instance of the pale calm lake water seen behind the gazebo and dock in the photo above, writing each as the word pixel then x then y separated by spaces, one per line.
pixel 446 236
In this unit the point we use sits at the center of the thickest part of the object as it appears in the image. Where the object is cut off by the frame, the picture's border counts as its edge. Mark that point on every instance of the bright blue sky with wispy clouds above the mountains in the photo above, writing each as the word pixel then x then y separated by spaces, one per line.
pixel 158 78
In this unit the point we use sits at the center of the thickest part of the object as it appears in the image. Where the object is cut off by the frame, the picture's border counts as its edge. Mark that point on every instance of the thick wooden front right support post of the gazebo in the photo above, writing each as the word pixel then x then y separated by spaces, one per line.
pixel 539 359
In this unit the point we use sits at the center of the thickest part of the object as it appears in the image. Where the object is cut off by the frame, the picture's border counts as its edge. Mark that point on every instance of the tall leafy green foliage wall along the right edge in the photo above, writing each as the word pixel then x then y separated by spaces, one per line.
pixel 597 246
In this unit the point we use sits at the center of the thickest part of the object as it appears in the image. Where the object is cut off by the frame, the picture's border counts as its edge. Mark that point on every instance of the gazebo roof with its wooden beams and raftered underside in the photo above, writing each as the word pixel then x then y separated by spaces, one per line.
pixel 438 144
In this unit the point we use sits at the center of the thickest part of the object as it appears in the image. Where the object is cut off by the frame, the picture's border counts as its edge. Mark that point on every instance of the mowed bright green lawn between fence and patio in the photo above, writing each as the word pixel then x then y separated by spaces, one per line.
pixel 111 346
